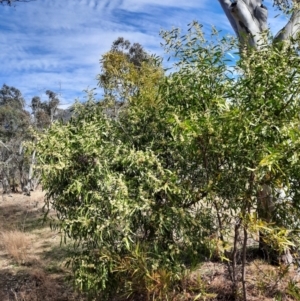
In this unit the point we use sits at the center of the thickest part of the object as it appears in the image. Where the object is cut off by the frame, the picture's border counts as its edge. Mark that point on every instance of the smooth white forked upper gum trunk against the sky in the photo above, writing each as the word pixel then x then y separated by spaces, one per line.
pixel 249 19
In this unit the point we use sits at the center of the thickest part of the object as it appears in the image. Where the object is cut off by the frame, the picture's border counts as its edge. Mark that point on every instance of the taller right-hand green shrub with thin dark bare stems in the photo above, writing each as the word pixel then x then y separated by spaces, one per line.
pixel 243 140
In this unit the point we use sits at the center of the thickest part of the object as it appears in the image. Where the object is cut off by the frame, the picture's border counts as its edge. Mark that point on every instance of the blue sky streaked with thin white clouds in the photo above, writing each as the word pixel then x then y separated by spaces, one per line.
pixel 56 45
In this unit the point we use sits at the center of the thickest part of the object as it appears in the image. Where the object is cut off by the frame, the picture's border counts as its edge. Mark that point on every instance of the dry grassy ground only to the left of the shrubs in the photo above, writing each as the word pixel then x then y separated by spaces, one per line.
pixel 31 258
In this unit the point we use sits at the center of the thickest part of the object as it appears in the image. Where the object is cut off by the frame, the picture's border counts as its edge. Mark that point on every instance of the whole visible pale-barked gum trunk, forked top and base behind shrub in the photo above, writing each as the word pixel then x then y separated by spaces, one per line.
pixel 249 20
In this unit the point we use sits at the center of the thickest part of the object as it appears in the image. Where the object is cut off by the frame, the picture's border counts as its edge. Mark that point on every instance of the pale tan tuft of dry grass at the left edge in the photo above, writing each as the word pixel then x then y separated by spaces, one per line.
pixel 17 245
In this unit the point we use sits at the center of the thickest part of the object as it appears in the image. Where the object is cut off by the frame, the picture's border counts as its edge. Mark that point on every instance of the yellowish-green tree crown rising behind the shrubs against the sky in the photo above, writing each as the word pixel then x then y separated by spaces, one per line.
pixel 129 73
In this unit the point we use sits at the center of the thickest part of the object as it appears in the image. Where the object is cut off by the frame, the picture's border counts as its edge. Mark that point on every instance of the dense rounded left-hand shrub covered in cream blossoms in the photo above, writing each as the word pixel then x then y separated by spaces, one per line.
pixel 118 202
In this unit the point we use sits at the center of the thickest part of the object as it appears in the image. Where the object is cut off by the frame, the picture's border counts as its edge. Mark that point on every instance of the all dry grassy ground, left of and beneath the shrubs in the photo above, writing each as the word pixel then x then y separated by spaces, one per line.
pixel 32 262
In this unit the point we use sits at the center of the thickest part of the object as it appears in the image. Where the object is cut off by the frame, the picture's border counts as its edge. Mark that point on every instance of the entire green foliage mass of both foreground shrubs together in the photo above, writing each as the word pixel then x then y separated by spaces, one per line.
pixel 144 194
